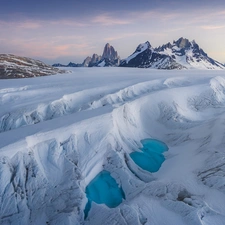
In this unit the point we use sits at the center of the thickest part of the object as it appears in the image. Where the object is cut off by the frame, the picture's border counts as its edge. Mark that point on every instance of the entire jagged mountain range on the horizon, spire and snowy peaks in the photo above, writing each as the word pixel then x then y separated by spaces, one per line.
pixel 180 54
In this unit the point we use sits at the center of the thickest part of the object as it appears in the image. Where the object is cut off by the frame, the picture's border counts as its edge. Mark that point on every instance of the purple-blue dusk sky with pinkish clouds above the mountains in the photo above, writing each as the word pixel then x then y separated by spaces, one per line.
pixel 70 30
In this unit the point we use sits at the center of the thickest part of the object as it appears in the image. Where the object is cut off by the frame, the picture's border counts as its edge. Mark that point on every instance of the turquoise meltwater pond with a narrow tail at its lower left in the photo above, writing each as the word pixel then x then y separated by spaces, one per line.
pixel 103 189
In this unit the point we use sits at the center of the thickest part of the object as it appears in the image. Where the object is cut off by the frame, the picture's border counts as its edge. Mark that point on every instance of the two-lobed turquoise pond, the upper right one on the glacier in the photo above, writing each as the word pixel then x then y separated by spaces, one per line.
pixel 151 157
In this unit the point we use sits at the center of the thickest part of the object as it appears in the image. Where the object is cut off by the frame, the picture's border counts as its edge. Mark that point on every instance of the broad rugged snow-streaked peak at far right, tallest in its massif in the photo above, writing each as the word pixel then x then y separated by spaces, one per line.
pixel 189 54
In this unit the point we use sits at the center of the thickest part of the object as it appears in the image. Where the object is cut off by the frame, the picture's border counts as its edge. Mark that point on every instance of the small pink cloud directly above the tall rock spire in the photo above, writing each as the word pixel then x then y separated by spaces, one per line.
pixel 107 20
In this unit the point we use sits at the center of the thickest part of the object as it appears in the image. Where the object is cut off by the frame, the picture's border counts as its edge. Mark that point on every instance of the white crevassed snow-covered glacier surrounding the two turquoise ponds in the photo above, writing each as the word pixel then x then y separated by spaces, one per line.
pixel 58 132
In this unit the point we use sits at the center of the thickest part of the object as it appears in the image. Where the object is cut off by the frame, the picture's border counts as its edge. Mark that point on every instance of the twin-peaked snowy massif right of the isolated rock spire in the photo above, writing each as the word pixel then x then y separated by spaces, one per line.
pixel 181 54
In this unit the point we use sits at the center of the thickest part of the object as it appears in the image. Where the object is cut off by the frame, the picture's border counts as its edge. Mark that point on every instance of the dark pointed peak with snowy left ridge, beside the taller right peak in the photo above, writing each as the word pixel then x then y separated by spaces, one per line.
pixel 146 57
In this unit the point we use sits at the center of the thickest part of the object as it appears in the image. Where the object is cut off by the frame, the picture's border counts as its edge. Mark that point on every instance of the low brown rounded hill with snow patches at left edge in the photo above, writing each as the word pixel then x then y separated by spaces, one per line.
pixel 12 66
